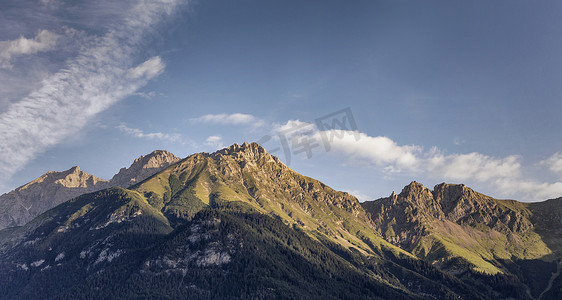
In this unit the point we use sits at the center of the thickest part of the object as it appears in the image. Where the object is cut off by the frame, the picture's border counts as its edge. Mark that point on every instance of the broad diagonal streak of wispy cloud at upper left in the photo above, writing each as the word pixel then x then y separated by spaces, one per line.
pixel 89 83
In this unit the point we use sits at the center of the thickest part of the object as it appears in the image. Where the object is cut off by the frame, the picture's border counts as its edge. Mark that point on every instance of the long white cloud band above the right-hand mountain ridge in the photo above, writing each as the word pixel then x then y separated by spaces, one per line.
pixel 503 174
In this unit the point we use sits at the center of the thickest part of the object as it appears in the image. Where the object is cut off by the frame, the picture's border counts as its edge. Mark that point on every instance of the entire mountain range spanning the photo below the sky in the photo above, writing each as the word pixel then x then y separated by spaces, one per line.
pixel 238 223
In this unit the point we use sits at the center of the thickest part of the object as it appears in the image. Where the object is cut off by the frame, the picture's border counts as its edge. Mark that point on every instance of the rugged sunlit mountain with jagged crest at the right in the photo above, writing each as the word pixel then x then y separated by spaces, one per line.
pixel 457 229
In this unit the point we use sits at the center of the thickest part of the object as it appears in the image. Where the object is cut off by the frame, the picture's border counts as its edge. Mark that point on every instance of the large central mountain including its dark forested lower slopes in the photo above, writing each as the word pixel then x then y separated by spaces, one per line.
pixel 236 223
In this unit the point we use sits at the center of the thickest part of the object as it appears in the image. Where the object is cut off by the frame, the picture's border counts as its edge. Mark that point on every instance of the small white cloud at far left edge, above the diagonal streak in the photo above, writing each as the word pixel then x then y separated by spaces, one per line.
pixel 43 41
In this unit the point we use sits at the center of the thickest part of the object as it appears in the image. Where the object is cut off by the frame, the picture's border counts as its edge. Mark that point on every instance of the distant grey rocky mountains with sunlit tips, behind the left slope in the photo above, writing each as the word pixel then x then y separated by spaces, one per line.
pixel 53 188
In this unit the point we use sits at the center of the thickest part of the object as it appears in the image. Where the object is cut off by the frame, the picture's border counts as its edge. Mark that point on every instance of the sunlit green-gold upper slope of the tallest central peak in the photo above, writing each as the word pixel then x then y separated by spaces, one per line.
pixel 248 174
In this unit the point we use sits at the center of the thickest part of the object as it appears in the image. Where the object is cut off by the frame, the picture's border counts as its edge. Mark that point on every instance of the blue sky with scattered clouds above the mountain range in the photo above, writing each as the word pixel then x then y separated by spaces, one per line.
pixel 440 91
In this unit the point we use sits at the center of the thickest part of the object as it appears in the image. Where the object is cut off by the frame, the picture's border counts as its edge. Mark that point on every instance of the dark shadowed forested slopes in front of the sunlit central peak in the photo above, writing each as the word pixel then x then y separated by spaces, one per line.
pixel 114 244
